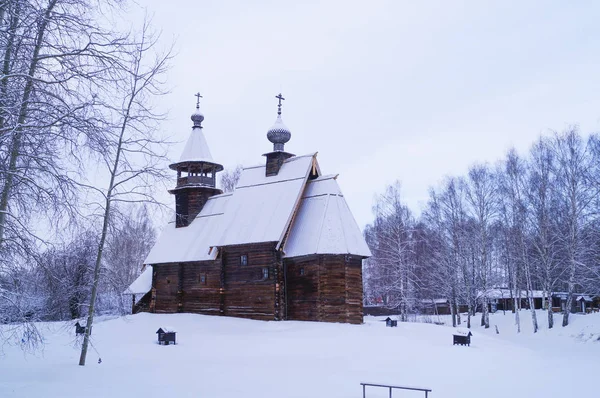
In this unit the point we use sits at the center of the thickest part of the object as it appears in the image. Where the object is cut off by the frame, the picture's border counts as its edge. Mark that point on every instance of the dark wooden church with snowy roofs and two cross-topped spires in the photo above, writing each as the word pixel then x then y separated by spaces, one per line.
pixel 283 246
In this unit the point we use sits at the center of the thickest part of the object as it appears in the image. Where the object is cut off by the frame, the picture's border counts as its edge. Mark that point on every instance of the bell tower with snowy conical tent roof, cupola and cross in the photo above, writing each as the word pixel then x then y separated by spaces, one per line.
pixel 196 173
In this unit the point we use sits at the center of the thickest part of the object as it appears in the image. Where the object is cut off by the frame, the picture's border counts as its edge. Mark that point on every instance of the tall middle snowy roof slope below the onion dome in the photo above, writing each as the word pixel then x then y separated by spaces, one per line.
pixel 261 207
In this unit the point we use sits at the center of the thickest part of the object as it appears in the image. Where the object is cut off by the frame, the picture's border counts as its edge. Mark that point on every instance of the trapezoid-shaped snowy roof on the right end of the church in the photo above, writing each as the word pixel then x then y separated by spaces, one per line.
pixel 324 223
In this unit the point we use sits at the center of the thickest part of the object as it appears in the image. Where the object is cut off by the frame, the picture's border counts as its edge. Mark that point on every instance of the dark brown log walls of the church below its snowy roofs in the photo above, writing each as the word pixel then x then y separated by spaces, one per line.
pixel 325 288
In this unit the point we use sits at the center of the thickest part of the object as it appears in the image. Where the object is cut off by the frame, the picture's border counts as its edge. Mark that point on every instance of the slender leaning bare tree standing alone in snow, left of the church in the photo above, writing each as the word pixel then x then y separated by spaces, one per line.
pixel 131 151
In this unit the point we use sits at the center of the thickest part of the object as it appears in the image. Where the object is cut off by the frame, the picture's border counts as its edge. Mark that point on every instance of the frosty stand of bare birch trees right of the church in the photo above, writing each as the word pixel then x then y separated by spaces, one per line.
pixel 528 223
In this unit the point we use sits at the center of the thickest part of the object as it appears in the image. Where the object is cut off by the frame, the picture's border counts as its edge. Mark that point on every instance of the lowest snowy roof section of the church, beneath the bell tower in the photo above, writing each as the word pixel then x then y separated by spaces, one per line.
pixel 191 243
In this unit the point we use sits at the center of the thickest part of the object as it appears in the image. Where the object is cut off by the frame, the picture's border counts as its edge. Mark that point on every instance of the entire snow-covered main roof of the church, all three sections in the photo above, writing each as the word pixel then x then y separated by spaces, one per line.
pixel 261 209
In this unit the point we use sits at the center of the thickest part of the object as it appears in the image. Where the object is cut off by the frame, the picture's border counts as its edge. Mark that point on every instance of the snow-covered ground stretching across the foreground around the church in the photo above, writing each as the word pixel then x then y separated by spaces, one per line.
pixel 227 358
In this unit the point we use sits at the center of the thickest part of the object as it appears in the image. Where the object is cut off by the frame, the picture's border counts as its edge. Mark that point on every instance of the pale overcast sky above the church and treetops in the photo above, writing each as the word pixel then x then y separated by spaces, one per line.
pixel 383 90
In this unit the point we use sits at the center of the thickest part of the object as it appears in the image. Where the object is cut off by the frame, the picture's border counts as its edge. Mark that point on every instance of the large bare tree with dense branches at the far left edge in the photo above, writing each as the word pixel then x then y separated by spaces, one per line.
pixel 55 56
